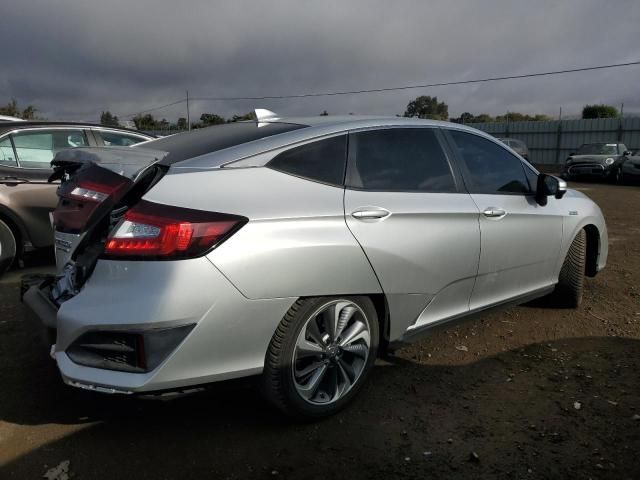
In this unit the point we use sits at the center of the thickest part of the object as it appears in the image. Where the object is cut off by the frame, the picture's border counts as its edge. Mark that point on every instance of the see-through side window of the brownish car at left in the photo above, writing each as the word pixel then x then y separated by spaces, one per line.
pixel 36 149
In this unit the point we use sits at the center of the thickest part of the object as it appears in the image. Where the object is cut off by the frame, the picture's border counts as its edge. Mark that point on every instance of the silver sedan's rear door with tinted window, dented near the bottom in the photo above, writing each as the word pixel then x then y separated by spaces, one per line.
pixel 405 205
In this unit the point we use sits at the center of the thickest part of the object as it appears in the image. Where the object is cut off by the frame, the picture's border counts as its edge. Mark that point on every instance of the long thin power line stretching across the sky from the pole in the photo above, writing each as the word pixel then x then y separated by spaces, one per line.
pixel 391 89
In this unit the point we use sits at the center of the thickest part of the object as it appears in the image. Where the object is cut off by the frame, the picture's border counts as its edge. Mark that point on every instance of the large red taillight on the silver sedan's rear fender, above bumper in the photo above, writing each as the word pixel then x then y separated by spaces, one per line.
pixel 153 230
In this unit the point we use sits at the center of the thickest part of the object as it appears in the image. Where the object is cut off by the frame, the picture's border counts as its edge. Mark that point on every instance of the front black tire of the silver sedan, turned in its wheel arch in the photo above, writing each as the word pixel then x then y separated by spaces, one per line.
pixel 568 292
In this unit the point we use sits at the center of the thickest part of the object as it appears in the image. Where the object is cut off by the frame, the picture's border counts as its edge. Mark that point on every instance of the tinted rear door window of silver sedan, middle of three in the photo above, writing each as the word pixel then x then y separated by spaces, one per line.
pixel 399 159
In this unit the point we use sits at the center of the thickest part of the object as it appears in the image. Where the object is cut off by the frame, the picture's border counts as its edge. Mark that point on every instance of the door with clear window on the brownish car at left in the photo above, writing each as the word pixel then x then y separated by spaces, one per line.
pixel 25 190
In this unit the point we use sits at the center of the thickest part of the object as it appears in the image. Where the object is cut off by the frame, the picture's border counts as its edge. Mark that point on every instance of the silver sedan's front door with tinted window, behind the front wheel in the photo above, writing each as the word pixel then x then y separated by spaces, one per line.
pixel 520 240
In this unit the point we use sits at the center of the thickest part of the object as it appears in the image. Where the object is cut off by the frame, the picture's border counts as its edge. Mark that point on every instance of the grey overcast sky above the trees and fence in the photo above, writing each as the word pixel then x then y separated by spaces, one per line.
pixel 73 59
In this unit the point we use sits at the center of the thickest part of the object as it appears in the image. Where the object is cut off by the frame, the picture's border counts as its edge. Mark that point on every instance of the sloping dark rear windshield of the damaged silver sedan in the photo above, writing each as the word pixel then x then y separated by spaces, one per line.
pixel 183 146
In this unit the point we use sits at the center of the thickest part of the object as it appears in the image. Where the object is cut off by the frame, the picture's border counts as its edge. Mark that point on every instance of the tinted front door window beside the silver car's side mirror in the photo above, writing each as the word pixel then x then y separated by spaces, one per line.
pixel 491 168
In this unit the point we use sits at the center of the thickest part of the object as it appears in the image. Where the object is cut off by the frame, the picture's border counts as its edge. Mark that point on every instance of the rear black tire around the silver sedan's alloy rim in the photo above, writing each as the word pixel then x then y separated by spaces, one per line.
pixel 278 385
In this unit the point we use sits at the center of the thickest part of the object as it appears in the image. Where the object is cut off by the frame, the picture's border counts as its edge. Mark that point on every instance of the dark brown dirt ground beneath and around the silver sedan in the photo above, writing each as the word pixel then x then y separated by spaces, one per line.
pixel 537 393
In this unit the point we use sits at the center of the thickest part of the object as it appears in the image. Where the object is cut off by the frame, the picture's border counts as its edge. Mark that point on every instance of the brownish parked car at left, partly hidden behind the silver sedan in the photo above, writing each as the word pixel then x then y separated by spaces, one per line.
pixel 26 198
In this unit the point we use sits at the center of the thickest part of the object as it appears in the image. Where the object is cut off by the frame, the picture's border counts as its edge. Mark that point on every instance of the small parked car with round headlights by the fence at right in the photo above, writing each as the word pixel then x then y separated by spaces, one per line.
pixel 597 160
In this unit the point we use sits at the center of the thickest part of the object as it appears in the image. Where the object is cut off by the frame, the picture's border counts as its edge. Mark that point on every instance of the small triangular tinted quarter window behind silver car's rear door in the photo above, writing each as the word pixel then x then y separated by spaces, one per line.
pixel 323 161
